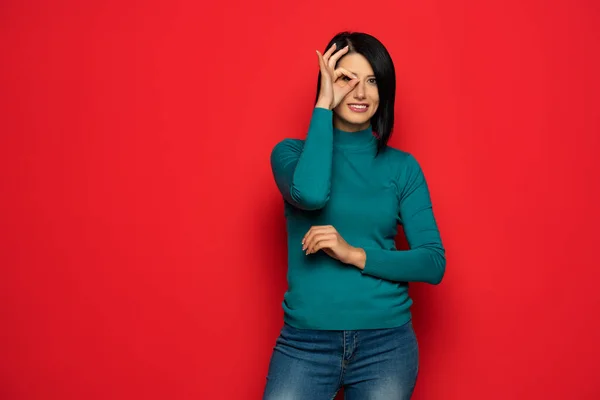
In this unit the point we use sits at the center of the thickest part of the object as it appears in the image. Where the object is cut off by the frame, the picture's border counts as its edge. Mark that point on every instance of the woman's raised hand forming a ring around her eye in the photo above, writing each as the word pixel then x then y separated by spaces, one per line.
pixel 333 89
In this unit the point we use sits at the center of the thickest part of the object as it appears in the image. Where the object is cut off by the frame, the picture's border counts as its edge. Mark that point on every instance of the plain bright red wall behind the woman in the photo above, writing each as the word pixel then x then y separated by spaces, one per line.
pixel 142 242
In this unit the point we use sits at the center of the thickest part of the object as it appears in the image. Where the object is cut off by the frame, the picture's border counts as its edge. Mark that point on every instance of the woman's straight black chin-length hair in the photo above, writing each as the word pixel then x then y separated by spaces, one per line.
pixel 383 67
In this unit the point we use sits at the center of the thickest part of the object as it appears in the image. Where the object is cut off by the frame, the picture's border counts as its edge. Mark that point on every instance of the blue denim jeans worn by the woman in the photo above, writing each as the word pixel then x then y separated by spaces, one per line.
pixel 378 364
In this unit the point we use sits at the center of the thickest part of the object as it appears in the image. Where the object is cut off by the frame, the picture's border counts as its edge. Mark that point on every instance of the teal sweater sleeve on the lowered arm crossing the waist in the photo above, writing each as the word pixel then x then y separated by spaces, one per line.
pixel 425 261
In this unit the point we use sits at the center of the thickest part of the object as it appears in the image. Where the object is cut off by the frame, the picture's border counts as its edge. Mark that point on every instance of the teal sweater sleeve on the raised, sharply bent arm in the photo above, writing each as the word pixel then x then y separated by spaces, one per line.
pixel 302 172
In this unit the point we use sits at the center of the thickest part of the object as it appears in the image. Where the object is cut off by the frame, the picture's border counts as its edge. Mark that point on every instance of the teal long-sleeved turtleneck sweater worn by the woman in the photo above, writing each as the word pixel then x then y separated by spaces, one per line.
pixel 337 178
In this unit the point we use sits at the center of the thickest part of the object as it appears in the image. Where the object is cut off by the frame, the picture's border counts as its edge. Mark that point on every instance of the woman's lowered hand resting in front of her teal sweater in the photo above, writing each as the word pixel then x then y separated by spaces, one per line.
pixel 328 239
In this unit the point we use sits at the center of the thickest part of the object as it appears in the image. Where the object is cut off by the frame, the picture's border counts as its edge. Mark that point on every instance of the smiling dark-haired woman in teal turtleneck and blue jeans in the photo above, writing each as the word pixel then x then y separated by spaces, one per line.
pixel 347 309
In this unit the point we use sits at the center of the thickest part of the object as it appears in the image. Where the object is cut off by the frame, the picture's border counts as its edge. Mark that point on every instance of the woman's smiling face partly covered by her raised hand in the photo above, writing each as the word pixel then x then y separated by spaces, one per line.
pixel 355 111
